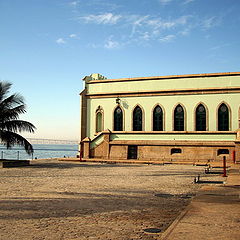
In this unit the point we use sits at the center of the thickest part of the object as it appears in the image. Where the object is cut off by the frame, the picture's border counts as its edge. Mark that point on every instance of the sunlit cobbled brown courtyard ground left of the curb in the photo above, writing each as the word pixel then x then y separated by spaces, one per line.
pixel 66 200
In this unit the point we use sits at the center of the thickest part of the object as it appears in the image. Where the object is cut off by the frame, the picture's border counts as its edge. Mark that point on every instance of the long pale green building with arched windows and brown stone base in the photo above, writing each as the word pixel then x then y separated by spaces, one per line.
pixel 165 118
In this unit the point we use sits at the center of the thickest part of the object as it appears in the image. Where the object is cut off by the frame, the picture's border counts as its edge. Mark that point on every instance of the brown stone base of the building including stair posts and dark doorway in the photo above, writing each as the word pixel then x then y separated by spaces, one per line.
pixel 156 150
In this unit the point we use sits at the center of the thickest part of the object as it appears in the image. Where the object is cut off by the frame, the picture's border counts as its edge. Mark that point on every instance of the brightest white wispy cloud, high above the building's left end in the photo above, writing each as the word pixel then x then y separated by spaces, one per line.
pixel 107 18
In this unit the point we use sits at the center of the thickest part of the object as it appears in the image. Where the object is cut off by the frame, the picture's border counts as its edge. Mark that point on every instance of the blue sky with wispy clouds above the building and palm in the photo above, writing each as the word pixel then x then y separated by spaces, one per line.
pixel 48 46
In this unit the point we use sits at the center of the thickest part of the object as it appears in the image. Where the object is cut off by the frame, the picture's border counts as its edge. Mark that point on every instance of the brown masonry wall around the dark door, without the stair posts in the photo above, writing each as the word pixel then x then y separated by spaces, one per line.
pixel 201 151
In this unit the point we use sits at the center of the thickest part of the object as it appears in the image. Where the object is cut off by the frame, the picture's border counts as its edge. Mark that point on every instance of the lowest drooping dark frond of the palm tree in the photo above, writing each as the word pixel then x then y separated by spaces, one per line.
pixel 9 139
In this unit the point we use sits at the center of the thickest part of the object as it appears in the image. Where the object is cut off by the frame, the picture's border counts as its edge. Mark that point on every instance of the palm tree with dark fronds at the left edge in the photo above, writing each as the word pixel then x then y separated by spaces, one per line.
pixel 10 108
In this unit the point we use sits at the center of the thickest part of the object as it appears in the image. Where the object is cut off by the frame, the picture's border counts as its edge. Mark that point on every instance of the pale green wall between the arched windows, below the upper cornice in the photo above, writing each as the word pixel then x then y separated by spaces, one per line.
pixel 168 104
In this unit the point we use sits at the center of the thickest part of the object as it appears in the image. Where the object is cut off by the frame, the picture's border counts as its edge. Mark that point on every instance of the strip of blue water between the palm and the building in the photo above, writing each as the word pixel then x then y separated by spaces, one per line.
pixel 40 151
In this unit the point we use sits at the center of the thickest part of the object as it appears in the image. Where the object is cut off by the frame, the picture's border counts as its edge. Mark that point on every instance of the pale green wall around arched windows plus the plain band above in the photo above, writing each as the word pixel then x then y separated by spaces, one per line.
pixel 168 103
